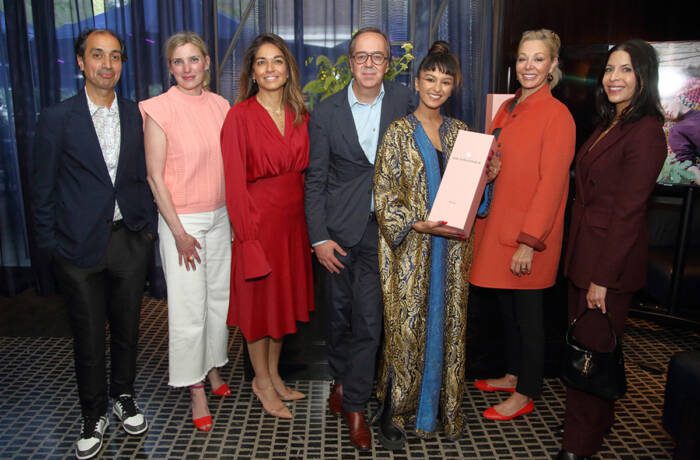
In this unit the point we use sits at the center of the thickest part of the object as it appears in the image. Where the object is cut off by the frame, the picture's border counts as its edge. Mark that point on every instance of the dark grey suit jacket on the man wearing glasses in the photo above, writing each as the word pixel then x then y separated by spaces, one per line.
pixel 338 187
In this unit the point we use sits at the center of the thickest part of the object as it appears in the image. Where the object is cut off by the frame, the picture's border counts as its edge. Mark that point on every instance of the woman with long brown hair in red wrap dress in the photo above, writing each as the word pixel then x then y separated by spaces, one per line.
pixel 265 146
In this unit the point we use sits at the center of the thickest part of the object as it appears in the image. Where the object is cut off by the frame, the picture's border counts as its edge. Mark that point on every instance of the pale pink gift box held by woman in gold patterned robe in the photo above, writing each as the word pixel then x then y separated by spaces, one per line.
pixel 463 183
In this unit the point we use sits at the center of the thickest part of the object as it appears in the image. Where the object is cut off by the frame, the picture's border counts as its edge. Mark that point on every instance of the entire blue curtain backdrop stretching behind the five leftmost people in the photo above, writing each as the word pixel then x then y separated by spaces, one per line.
pixel 38 68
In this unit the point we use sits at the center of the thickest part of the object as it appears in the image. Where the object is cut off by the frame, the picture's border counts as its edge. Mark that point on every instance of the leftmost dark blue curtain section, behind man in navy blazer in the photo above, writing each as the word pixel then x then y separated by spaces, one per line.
pixel 38 69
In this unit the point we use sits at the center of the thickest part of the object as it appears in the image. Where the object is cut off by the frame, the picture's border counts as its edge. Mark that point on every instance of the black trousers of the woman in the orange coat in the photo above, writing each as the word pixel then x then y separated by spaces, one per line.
pixel 523 326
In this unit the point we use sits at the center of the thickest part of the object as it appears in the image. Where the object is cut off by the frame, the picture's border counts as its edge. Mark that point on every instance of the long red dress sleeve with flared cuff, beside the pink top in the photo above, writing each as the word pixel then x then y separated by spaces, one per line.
pixel 241 209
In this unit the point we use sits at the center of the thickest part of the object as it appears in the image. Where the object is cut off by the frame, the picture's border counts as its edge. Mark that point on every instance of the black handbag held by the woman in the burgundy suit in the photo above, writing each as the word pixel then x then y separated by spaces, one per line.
pixel 600 373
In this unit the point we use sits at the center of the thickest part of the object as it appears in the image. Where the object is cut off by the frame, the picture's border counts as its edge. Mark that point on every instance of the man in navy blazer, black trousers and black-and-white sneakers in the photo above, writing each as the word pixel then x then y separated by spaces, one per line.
pixel 95 218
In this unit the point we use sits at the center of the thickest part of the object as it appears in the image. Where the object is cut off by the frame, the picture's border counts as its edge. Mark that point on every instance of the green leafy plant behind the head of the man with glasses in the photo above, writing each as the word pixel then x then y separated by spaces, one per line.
pixel 331 77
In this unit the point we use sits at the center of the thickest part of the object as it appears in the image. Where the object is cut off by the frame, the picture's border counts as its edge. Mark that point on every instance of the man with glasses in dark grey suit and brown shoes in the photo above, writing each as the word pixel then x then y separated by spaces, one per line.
pixel 345 132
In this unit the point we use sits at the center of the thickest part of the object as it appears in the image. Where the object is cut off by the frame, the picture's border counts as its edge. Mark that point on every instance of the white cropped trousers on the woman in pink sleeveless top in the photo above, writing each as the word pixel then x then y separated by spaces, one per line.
pixel 197 299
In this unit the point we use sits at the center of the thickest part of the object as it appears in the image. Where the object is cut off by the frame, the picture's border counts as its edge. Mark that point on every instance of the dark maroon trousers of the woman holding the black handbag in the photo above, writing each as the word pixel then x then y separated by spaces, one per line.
pixel 588 417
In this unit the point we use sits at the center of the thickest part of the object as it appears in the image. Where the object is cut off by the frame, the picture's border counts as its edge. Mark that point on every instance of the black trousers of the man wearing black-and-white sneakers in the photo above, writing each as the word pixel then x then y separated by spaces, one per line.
pixel 111 291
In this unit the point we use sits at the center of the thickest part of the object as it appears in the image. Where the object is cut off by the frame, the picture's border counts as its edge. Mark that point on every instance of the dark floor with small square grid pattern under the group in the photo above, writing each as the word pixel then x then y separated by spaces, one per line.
pixel 39 409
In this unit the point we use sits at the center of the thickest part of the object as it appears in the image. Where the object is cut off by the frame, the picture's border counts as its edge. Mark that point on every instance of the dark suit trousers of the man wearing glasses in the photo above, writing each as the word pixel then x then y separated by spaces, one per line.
pixel 355 320
